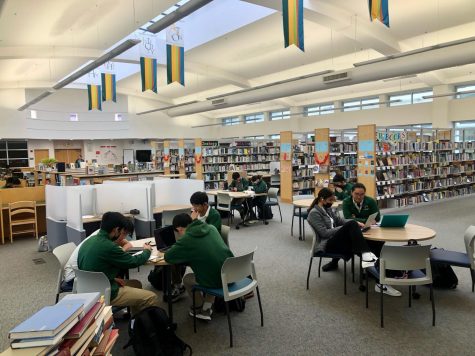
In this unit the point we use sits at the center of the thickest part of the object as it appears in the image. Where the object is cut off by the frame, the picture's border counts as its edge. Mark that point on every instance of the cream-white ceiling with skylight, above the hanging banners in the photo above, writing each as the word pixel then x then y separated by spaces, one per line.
pixel 230 45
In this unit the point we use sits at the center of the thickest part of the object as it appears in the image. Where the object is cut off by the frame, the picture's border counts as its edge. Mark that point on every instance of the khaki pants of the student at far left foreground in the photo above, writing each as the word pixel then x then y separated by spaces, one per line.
pixel 132 295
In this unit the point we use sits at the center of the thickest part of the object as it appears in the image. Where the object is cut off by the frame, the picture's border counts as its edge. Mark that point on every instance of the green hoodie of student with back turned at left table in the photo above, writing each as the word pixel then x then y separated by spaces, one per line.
pixel 203 249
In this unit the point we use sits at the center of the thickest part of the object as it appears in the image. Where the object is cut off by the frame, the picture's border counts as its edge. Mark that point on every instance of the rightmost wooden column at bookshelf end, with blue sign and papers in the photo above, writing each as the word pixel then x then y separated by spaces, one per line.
pixel 367 158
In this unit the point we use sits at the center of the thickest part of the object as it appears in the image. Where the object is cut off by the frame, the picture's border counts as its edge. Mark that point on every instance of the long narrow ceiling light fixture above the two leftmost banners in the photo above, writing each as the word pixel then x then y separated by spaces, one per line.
pixel 124 46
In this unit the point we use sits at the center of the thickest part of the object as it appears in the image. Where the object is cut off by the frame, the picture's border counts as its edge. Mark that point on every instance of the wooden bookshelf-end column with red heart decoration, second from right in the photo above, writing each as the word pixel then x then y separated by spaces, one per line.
pixel 322 159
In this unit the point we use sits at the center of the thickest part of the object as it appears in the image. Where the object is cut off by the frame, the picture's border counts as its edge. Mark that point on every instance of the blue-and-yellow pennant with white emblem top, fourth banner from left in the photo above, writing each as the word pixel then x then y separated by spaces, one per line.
pixel 175 56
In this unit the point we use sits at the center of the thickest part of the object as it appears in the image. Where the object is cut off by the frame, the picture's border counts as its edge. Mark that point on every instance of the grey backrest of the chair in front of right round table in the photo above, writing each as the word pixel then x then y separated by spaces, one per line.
pixel 405 257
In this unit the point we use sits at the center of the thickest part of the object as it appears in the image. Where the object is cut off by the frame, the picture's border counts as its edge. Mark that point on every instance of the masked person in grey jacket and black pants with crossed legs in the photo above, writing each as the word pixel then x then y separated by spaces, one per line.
pixel 337 235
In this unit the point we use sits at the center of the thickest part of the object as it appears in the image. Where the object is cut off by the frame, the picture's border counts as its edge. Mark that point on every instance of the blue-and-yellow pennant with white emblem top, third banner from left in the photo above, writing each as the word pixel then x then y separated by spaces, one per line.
pixel 148 63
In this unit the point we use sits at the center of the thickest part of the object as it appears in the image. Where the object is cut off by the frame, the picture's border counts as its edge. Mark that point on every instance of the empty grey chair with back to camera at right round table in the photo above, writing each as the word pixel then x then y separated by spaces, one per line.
pixel 404 258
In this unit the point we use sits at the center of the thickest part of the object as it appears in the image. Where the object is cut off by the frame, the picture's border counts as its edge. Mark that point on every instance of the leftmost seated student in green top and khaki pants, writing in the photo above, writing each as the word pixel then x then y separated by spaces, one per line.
pixel 101 254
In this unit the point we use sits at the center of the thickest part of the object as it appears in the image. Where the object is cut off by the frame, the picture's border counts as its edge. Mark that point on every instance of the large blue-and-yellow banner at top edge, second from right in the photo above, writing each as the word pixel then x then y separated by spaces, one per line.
pixel 293 23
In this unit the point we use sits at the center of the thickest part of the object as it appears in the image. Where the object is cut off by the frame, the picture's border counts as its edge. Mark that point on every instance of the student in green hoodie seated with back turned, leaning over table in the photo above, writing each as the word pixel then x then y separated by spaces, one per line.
pixel 201 247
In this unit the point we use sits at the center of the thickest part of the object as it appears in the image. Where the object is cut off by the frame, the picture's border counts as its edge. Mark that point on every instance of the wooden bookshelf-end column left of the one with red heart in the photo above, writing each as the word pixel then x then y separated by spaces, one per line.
pixel 286 191
